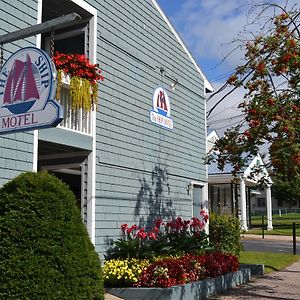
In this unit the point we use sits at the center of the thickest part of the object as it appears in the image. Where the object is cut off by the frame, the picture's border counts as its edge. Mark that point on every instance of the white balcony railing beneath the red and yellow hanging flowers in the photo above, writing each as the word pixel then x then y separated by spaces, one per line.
pixel 78 120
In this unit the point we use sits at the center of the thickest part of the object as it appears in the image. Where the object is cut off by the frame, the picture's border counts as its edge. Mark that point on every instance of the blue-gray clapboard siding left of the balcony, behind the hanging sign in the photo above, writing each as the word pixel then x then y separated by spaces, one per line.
pixel 16 149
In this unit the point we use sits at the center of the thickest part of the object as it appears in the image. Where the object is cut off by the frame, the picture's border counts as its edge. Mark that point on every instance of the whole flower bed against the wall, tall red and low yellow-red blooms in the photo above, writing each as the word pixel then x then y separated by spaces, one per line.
pixel 169 255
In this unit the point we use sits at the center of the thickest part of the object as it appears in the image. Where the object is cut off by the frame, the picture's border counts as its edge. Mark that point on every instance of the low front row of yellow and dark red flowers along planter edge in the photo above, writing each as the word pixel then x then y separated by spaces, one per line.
pixel 167 272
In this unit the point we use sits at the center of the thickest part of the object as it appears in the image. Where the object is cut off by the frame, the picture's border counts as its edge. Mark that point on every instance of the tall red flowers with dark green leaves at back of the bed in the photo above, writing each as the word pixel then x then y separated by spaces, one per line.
pixel 169 238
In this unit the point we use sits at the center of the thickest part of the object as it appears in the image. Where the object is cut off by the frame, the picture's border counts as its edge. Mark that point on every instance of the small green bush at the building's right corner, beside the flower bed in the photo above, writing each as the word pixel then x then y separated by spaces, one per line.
pixel 224 234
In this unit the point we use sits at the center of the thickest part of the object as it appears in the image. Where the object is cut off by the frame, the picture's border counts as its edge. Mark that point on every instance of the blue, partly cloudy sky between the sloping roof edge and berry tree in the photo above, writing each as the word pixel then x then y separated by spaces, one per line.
pixel 208 28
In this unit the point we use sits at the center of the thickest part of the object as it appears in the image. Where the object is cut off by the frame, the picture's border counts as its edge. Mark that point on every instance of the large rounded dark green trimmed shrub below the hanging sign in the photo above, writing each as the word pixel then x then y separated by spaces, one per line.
pixel 45 249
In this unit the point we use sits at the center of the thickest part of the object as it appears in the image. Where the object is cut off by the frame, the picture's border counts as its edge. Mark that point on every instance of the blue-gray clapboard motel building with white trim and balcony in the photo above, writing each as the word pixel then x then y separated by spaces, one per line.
pixel 121 164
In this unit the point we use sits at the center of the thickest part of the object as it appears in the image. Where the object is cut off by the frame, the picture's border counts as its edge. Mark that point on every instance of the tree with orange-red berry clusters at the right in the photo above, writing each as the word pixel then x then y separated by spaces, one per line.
pixel 271 105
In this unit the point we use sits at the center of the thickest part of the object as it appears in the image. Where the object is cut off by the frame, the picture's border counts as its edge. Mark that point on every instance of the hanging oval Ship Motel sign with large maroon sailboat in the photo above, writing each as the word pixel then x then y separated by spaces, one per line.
pixel 27 89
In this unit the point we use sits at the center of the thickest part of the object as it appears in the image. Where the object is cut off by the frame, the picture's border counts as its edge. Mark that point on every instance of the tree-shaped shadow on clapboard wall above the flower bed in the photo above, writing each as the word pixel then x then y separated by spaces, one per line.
pixel 152 198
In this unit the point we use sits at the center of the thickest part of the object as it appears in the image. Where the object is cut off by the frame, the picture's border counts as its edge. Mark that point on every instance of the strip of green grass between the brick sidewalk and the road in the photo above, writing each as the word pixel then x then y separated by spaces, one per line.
pixel 272 261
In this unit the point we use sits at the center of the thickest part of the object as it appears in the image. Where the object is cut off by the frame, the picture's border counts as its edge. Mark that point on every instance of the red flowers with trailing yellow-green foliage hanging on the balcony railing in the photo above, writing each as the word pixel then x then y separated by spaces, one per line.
pixel 84 78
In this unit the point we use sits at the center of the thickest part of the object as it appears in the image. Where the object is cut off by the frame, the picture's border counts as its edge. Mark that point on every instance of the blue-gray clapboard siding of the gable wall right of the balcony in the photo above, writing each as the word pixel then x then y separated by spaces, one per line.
pixel 142 169
